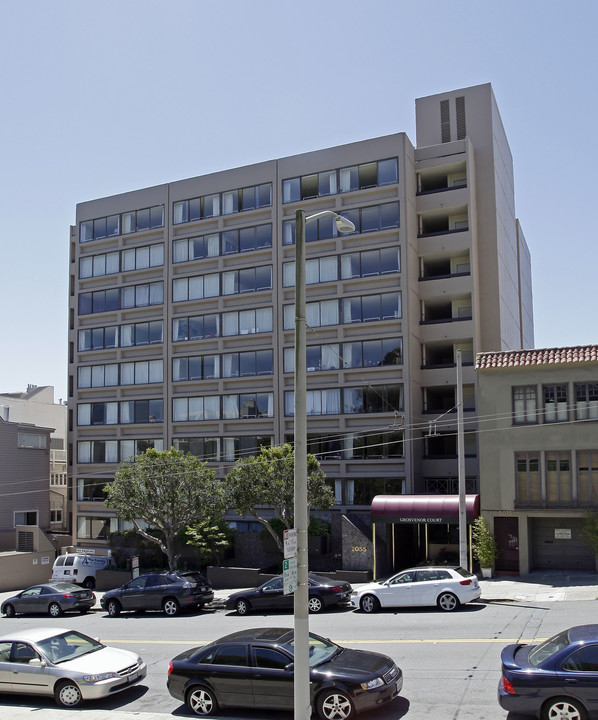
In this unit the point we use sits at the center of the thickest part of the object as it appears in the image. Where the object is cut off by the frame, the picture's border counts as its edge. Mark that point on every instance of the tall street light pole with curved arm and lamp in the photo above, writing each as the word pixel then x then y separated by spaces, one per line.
pixel 301 622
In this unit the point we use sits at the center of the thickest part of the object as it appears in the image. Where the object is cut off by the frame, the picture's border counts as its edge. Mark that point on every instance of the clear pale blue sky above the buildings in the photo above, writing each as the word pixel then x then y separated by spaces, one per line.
pixel 105 97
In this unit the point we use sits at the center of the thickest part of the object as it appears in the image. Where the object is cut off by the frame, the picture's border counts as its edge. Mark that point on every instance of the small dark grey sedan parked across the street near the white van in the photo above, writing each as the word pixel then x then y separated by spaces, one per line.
pixel 53 598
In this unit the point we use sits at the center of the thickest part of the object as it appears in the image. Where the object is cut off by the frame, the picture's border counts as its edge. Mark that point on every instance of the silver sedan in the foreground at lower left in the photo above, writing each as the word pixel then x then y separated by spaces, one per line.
pixel 66 664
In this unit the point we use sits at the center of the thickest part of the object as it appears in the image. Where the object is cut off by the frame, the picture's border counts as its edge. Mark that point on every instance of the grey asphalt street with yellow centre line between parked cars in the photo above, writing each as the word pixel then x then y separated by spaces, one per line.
pixel 451 669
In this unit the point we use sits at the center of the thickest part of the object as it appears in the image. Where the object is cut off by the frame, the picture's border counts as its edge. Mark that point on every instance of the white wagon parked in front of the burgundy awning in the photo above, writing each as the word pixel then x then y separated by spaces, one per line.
pixel 445 587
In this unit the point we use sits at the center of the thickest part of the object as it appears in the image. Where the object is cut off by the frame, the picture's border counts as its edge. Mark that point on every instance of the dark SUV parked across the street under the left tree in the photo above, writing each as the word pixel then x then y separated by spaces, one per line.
pixel 170 592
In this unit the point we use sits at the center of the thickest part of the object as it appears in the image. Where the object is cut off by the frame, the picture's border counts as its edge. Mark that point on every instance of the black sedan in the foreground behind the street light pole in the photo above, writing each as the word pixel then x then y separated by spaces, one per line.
pixel 254 669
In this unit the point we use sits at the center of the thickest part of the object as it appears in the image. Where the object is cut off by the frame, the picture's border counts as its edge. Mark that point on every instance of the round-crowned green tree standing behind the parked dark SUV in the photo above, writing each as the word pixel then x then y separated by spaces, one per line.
pixel 166 491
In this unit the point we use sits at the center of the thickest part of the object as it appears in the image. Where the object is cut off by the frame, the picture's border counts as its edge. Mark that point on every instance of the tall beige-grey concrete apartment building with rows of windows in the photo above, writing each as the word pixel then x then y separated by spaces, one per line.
pixel 182 319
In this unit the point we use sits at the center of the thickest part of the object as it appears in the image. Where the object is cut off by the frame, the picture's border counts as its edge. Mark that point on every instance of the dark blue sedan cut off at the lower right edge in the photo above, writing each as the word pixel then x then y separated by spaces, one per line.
pixel 555 679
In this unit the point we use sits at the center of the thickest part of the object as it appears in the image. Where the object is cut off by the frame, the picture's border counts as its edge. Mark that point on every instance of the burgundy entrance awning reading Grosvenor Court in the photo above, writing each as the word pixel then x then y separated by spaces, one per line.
pixel 423 508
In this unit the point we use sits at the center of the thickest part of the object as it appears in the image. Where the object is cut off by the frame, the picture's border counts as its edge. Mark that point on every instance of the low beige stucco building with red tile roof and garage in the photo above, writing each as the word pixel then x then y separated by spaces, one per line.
pixel 538 444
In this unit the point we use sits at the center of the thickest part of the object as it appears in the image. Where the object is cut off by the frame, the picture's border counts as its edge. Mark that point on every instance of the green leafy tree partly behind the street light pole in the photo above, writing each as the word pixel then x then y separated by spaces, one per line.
pixel 267 479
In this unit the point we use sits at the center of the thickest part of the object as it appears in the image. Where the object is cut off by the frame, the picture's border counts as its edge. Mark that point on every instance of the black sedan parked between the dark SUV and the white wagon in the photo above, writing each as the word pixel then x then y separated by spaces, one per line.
pixel 323 593
